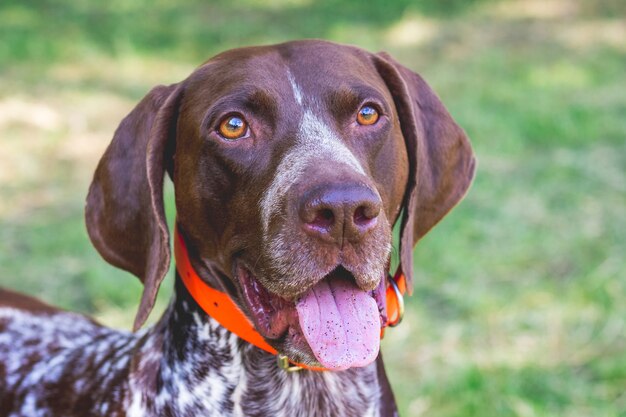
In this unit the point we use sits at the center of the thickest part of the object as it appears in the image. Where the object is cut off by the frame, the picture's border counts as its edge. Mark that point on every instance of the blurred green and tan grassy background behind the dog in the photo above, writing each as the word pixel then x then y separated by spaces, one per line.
pixel 520 301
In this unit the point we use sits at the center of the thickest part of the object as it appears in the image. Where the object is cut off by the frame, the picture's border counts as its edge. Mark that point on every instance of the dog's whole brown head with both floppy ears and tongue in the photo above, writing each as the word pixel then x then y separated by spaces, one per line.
pixel 290 164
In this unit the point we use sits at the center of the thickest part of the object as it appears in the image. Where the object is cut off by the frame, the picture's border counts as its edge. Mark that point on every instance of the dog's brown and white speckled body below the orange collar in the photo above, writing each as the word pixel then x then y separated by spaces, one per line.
pixel 56 363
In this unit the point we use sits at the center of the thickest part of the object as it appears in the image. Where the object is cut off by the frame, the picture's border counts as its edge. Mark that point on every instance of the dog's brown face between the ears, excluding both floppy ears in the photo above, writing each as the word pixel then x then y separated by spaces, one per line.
pixel 302 188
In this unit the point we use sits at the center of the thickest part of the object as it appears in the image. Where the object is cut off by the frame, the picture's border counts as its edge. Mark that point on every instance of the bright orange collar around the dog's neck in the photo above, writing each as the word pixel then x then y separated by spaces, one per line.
pixel 223 309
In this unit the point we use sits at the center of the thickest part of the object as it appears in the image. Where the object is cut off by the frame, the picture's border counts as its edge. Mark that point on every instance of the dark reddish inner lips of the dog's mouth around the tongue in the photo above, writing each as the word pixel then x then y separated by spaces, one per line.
pixel 276 318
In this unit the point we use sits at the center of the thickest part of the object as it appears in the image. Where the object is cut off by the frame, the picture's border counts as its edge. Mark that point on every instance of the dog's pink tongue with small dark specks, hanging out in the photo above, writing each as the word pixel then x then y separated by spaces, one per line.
pixel 341 323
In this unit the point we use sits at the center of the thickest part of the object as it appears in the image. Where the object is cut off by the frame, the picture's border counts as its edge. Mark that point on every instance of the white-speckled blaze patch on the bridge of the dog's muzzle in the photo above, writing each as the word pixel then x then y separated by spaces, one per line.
pixel 316 142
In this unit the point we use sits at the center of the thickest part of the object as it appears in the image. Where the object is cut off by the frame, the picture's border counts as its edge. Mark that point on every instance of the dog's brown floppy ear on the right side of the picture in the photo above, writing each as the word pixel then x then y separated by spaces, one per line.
pixel 441 161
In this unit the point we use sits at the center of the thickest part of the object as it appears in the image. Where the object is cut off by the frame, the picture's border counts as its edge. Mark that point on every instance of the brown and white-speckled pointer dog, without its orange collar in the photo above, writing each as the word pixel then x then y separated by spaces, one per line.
pixel 290 163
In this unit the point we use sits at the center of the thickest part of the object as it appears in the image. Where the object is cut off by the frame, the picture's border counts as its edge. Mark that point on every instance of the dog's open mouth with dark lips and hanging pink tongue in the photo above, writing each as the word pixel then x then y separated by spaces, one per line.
pixel 334 321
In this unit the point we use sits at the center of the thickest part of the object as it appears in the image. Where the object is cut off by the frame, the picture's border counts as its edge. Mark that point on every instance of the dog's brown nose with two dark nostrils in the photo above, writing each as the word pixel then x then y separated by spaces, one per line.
pixel 335 213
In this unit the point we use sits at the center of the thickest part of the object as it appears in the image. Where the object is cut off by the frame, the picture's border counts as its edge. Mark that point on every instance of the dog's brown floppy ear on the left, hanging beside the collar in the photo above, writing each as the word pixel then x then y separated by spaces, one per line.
pixel 124 212
